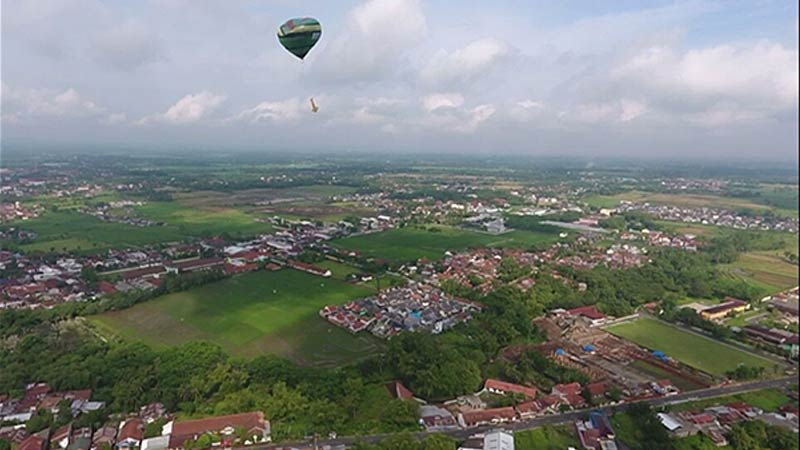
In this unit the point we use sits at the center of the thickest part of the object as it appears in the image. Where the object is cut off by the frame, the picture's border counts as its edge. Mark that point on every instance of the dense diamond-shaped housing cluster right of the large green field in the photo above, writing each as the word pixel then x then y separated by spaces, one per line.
pixel 413 307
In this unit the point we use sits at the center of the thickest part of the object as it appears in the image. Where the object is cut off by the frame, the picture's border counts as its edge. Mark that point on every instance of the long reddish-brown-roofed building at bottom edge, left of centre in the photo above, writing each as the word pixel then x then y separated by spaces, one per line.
pixel 255 425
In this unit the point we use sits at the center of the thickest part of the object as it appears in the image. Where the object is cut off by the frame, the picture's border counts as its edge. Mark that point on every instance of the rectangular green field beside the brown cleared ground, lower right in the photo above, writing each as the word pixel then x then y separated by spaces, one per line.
pixel 692 349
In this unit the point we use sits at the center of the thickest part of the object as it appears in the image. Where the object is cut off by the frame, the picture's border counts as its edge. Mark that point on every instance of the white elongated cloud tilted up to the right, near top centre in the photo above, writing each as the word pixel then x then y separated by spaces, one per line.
pixel 465 63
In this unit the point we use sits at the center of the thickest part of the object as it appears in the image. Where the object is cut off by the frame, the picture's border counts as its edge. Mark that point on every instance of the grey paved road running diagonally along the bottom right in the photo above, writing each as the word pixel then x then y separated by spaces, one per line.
pixel 554 419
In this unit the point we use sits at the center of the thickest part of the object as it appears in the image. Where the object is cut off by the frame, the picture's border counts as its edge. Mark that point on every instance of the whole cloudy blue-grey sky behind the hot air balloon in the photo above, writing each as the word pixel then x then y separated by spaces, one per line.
pixel 685 79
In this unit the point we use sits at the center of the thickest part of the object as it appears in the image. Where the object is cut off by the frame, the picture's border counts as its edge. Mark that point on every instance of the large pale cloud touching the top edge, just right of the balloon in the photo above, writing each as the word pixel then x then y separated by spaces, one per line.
pixel 374 41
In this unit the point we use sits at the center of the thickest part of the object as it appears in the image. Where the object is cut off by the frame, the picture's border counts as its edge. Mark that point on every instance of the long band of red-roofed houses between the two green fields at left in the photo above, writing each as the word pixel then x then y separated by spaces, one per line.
pixel 42 282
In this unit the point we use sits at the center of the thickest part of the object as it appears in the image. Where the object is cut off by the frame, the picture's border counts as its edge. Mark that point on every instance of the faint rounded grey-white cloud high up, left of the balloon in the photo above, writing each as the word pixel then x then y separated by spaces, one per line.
pixel 126 47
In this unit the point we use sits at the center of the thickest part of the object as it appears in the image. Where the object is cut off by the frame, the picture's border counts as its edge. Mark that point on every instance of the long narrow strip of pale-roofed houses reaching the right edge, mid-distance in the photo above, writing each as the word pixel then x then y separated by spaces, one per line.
pixel 713 216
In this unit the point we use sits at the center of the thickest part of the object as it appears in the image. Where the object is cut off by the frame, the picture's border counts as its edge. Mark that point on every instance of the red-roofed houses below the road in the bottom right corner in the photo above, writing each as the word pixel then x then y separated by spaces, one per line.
pixel 715 421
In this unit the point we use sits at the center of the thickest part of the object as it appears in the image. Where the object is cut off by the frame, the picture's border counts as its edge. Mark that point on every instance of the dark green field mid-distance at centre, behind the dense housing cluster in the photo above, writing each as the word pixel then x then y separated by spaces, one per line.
pixel 410 244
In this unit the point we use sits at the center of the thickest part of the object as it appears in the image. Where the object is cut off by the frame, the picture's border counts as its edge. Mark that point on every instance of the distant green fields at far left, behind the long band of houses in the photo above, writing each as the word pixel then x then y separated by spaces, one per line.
pixel 72 230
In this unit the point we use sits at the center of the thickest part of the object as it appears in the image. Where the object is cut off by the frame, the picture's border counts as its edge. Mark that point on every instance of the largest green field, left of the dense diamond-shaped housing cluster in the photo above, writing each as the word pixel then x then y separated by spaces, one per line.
pixel 251 314
